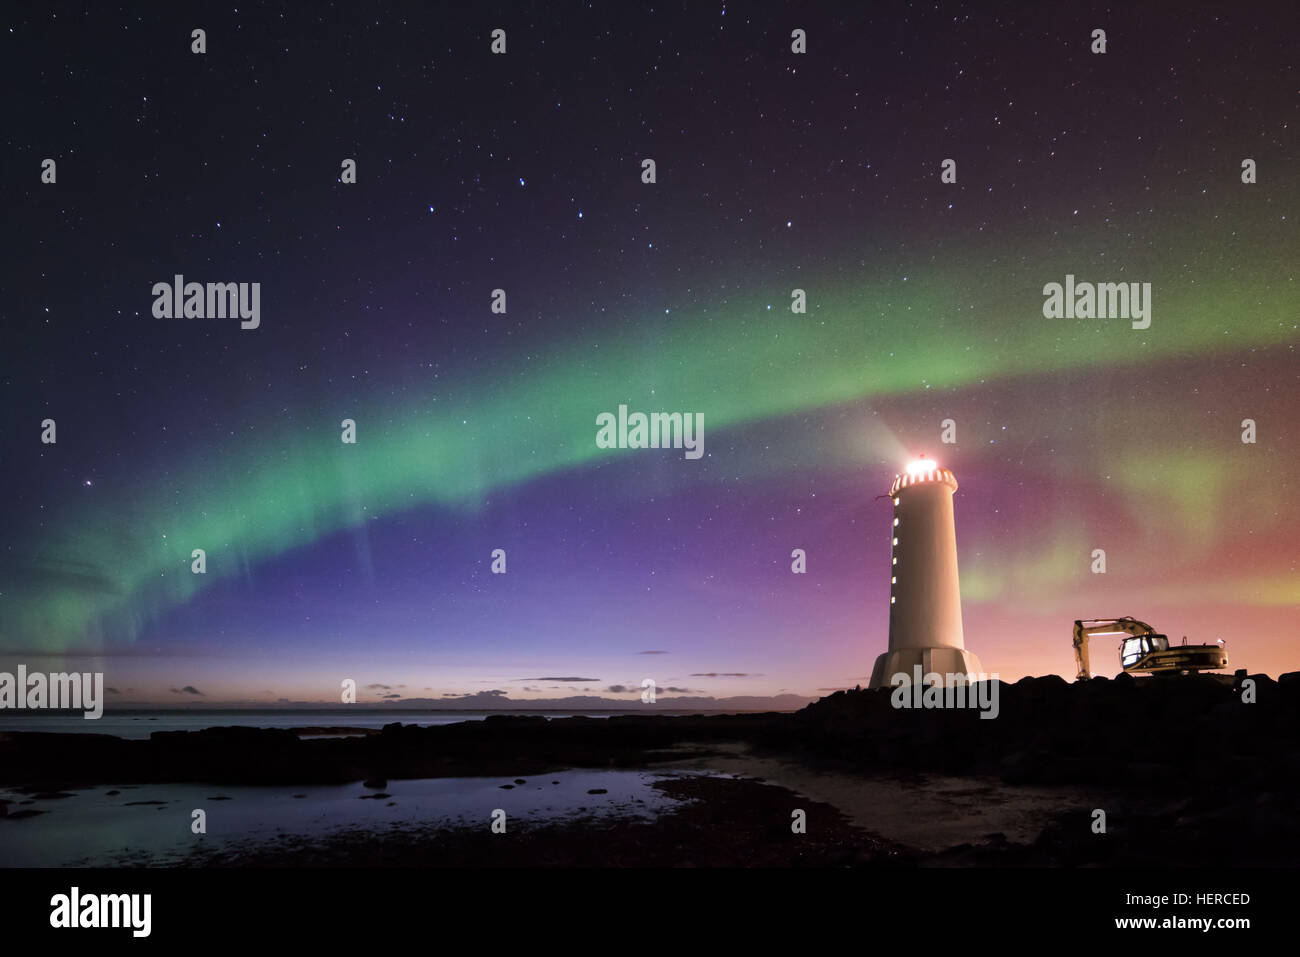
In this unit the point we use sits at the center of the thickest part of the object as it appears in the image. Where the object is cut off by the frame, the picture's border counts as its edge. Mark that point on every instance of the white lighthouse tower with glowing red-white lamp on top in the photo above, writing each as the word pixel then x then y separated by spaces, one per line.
pixel 925 600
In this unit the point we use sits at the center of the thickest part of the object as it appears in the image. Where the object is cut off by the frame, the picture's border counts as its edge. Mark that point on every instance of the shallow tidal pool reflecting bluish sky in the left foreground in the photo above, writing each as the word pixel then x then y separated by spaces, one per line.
pixel 149 825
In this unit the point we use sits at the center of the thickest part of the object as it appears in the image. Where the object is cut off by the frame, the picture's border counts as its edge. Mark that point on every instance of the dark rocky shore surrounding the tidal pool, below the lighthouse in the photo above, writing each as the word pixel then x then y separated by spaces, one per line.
pixel 1186 773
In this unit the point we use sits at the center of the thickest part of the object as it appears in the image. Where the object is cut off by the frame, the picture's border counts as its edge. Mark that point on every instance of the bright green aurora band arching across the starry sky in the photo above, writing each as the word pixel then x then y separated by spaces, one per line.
pixel 102 573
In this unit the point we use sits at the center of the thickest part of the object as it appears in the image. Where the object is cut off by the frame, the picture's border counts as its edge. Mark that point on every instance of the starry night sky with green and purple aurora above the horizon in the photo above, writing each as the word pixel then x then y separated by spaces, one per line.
pixel 476 431
